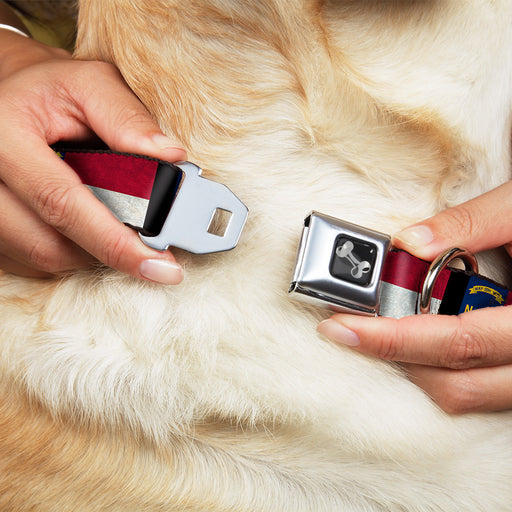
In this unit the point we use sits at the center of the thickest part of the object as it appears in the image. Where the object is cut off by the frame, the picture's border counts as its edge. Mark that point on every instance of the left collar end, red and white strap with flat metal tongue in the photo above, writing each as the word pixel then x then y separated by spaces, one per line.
pixel 169 204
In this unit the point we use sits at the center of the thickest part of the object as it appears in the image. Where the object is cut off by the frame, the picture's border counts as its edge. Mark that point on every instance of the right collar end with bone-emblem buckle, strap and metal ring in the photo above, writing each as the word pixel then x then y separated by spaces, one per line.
pixel 353 269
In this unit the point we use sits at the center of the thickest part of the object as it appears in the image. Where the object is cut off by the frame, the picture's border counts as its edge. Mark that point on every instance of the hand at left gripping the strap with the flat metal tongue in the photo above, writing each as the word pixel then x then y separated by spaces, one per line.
pixel 49 221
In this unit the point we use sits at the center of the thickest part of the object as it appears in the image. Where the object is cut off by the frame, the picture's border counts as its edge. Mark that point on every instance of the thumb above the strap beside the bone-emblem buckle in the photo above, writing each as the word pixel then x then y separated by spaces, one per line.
pixel 479 224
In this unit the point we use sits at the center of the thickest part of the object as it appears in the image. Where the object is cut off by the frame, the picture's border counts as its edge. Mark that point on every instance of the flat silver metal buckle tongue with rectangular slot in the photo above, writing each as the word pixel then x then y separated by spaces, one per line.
pixel 193 213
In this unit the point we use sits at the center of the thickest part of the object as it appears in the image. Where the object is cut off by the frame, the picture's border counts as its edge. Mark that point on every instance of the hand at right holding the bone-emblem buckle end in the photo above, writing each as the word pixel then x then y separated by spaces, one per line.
pixel 463 362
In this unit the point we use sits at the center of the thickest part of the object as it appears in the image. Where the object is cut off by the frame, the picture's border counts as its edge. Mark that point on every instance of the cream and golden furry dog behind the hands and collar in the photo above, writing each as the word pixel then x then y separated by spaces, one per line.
pixel 218 394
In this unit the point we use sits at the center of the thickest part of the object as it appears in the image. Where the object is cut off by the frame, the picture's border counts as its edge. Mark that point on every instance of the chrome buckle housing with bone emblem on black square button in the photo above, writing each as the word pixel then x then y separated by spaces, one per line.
pixel 339 265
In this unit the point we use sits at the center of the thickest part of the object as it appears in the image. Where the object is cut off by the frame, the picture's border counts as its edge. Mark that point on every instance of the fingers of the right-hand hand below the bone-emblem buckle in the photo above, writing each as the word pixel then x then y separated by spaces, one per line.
pixel 442 352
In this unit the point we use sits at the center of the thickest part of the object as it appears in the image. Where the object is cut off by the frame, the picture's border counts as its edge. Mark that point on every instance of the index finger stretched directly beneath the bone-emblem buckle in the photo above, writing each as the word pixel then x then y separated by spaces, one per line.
pixel 474 339
